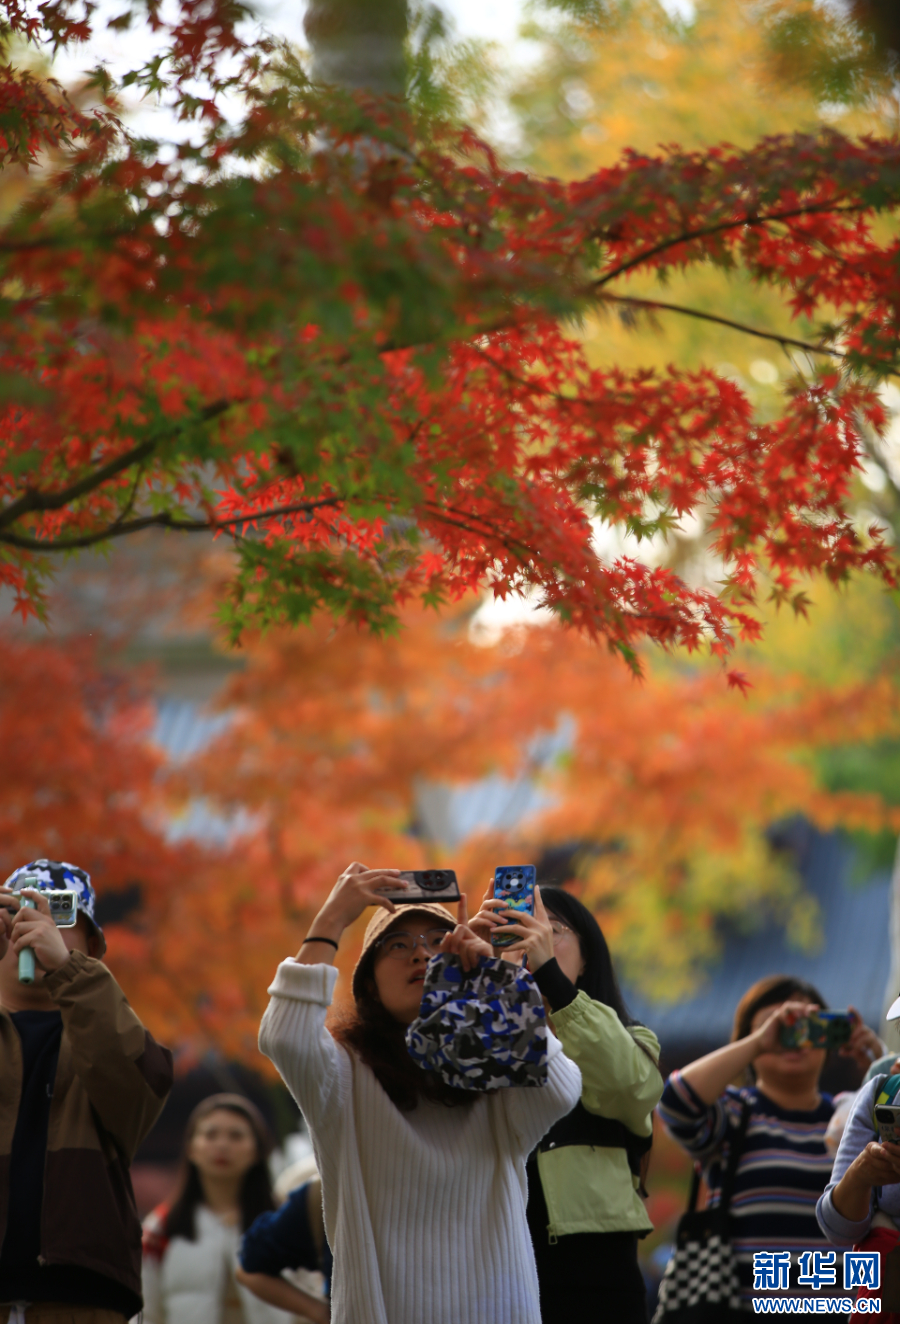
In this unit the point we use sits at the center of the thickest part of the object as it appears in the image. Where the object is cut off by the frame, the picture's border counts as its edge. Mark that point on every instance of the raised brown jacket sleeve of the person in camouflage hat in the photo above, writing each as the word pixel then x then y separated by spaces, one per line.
pixel 128 1076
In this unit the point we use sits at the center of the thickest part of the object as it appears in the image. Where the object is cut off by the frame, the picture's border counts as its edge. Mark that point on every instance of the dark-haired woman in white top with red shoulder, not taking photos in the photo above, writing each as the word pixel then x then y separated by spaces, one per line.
pixel 191 1244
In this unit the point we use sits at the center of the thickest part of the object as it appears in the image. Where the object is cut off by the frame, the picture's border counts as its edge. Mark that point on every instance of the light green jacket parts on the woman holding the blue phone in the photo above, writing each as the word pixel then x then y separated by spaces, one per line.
pixel 588 1188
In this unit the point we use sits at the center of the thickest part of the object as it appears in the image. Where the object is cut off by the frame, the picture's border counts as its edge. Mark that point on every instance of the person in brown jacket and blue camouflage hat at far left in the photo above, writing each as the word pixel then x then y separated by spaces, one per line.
pixel 81 1085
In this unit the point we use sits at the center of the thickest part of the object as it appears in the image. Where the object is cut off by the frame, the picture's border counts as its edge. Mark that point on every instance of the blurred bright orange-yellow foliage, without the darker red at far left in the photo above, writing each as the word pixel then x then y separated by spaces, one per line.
pixel 668 786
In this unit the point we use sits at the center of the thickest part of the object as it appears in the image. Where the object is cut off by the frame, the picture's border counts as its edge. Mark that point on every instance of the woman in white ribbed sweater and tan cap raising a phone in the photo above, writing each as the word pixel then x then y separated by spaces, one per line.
pixel 424 1186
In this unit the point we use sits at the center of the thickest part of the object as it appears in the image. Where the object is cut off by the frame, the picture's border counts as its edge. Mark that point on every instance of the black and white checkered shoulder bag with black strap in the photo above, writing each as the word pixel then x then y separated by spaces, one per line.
pixel 701 1285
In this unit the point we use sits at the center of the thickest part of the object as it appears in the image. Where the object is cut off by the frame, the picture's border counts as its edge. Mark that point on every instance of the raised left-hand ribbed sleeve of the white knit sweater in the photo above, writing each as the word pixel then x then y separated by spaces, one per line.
pixel 293 1035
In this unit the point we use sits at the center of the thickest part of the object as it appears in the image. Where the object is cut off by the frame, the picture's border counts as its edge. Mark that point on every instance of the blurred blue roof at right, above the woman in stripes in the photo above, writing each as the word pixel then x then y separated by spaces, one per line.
pixel 852 967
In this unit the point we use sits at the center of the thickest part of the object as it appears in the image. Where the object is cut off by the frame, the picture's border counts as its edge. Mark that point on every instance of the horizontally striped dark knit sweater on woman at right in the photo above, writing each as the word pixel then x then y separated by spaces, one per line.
pixel 783 1171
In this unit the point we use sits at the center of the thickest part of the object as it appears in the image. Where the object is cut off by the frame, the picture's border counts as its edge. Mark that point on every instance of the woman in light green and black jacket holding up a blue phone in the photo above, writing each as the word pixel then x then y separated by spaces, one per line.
pixel 584 1209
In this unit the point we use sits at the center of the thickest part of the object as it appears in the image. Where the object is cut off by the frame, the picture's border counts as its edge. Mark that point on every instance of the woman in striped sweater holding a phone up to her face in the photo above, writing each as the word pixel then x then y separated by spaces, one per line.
pixel 784 1164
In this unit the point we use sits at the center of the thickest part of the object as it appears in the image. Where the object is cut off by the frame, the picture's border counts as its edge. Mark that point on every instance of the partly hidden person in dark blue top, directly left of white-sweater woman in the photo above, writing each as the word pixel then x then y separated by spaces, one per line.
pixel 285 1258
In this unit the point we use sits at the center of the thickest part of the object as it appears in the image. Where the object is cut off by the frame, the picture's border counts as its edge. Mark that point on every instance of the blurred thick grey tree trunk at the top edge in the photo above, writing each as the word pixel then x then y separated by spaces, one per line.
pixel 359 44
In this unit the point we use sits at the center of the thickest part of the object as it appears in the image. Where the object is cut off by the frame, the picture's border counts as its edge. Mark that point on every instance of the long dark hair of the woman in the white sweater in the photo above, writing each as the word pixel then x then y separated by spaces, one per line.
pixel 381 1041
